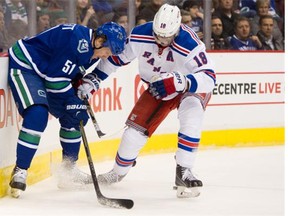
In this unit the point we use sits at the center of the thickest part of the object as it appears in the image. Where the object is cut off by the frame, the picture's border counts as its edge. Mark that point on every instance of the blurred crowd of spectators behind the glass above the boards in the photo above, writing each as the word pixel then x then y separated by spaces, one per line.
pixel 234 25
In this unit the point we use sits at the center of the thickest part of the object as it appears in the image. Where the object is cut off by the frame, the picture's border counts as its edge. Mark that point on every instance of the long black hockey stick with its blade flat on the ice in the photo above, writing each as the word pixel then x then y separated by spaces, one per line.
pixel 111 202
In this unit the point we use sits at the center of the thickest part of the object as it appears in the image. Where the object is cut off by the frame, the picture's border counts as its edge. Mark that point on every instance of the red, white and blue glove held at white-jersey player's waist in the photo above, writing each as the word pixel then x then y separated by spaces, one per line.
pixel 167 84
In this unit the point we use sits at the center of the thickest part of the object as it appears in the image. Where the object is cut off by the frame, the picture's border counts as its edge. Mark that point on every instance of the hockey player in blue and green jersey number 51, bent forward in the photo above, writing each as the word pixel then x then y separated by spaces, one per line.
pixel 42 70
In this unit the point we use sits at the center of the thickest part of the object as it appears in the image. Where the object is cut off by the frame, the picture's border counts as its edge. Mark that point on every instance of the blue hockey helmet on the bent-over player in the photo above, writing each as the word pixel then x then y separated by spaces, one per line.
pixel 115 36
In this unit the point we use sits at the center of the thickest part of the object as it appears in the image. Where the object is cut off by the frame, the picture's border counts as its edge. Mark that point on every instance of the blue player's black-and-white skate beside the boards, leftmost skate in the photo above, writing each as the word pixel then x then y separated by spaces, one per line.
pixel 18 181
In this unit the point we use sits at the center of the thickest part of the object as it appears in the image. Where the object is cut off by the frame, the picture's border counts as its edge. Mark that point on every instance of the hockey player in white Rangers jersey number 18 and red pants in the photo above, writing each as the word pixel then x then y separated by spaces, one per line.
pixel 180 75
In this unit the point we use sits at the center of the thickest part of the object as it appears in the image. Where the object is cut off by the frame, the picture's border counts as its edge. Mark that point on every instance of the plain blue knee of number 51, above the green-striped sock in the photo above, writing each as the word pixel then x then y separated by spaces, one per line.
pixel 36 117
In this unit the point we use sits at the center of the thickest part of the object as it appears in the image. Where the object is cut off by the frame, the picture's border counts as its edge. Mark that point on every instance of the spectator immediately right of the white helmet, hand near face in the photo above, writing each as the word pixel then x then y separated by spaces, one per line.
pixel 197 17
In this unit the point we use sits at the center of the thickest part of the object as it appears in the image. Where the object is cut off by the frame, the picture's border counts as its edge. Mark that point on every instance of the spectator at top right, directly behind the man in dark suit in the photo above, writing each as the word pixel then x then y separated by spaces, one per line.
pixel 262 8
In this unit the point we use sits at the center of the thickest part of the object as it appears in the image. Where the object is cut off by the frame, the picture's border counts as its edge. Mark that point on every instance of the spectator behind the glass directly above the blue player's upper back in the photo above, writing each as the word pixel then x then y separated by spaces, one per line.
pixel 85 14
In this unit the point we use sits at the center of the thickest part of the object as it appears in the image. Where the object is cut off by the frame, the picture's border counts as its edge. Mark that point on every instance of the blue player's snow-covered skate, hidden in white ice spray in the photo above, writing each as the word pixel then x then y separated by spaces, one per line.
pixel 70 177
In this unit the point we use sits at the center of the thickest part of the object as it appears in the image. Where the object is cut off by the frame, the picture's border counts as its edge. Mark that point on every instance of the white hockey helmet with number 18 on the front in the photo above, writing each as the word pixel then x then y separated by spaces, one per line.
pixel 167 21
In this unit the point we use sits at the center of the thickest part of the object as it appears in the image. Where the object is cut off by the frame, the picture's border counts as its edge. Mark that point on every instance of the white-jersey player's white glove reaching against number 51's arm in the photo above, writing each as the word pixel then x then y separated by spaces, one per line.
pixel 88 85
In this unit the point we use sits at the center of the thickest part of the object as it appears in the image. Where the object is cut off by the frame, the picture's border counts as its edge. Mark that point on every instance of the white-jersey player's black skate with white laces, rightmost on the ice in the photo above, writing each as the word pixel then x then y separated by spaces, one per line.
pixel 186 184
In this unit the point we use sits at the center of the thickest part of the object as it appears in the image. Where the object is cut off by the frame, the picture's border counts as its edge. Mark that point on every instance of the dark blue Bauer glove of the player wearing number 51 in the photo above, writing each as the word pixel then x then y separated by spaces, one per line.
pixel 76 111
